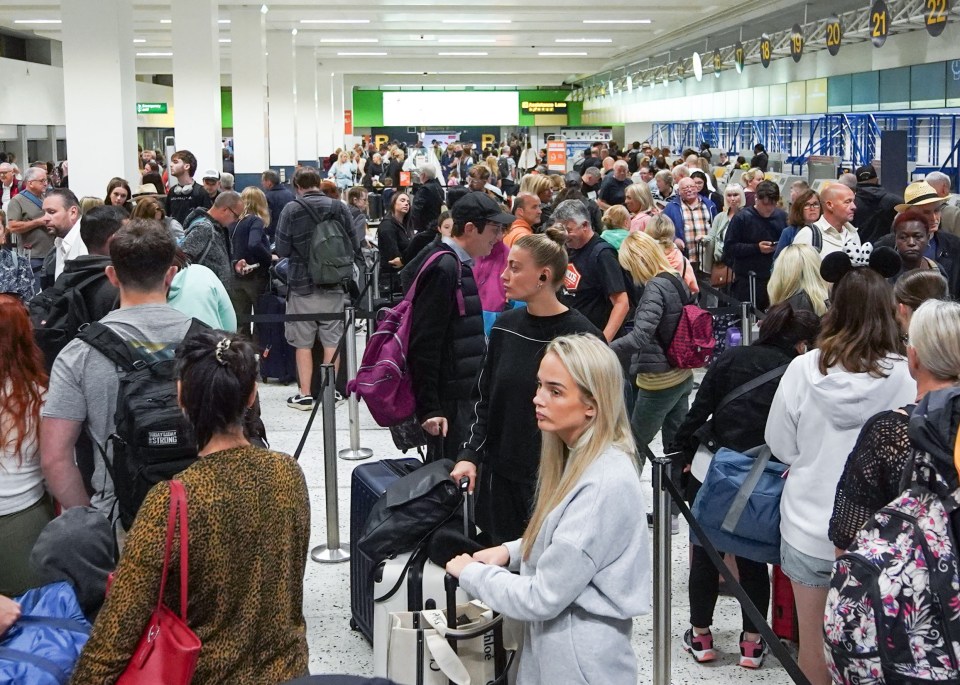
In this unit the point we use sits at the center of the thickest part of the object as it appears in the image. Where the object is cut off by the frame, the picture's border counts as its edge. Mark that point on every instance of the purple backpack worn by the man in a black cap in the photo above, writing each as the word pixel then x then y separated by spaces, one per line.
pixel 383 380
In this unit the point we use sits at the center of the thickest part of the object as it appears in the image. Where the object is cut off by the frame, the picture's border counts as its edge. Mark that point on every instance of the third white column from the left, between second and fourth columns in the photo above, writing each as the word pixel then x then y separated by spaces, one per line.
pixel 249 66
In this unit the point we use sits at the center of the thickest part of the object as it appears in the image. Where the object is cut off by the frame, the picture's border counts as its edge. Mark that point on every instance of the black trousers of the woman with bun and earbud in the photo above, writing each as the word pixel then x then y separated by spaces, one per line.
pixel 503 506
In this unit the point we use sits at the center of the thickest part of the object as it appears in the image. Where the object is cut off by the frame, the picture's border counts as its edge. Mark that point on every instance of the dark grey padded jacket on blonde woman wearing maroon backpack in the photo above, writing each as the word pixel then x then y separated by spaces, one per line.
pixel 656 321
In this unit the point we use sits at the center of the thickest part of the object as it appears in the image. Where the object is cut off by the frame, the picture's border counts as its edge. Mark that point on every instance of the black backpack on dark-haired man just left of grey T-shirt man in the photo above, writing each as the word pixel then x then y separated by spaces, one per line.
pixel 57 313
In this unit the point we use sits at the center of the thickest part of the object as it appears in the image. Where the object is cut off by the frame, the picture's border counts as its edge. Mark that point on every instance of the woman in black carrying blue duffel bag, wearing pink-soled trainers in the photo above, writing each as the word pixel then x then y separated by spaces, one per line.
pixel 738 425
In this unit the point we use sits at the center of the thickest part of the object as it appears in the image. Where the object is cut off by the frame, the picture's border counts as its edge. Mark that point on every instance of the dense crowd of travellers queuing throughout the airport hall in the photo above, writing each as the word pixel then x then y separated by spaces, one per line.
pixel 545 306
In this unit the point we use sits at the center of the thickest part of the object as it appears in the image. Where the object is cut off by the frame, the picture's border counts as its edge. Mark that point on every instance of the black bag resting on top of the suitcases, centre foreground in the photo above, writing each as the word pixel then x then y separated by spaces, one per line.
pixel 410 510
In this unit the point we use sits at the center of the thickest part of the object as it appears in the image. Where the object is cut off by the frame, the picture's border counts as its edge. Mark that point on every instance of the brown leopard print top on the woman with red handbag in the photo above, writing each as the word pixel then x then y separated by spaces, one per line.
pixel 249 523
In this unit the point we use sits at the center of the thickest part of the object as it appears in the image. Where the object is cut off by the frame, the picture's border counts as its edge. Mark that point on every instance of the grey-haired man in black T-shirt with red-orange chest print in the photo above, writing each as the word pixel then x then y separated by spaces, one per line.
pixel 594 284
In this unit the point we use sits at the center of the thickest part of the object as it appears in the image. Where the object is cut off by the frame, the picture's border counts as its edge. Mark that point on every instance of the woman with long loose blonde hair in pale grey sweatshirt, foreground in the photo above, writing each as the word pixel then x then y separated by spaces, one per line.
pixel 584 559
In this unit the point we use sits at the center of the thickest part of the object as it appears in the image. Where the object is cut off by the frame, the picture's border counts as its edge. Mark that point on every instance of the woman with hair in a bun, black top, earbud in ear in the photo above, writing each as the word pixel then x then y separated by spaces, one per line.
pixel 503 436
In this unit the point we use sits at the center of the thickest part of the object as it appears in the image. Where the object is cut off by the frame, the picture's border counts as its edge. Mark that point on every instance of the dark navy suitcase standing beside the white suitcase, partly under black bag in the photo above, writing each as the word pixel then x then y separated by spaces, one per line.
pixel 367 483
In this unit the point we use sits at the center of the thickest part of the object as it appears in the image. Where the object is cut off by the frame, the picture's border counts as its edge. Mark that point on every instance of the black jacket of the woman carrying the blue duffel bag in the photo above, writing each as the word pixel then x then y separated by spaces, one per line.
pixel 740 424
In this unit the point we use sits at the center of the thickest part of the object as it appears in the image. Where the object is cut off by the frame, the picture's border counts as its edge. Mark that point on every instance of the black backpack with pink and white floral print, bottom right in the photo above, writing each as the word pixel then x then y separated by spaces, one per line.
pixel 893 609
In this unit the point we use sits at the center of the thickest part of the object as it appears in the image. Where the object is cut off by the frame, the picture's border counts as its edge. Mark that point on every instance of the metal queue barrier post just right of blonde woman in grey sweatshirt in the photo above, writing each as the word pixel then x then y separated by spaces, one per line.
pixel 661 571
